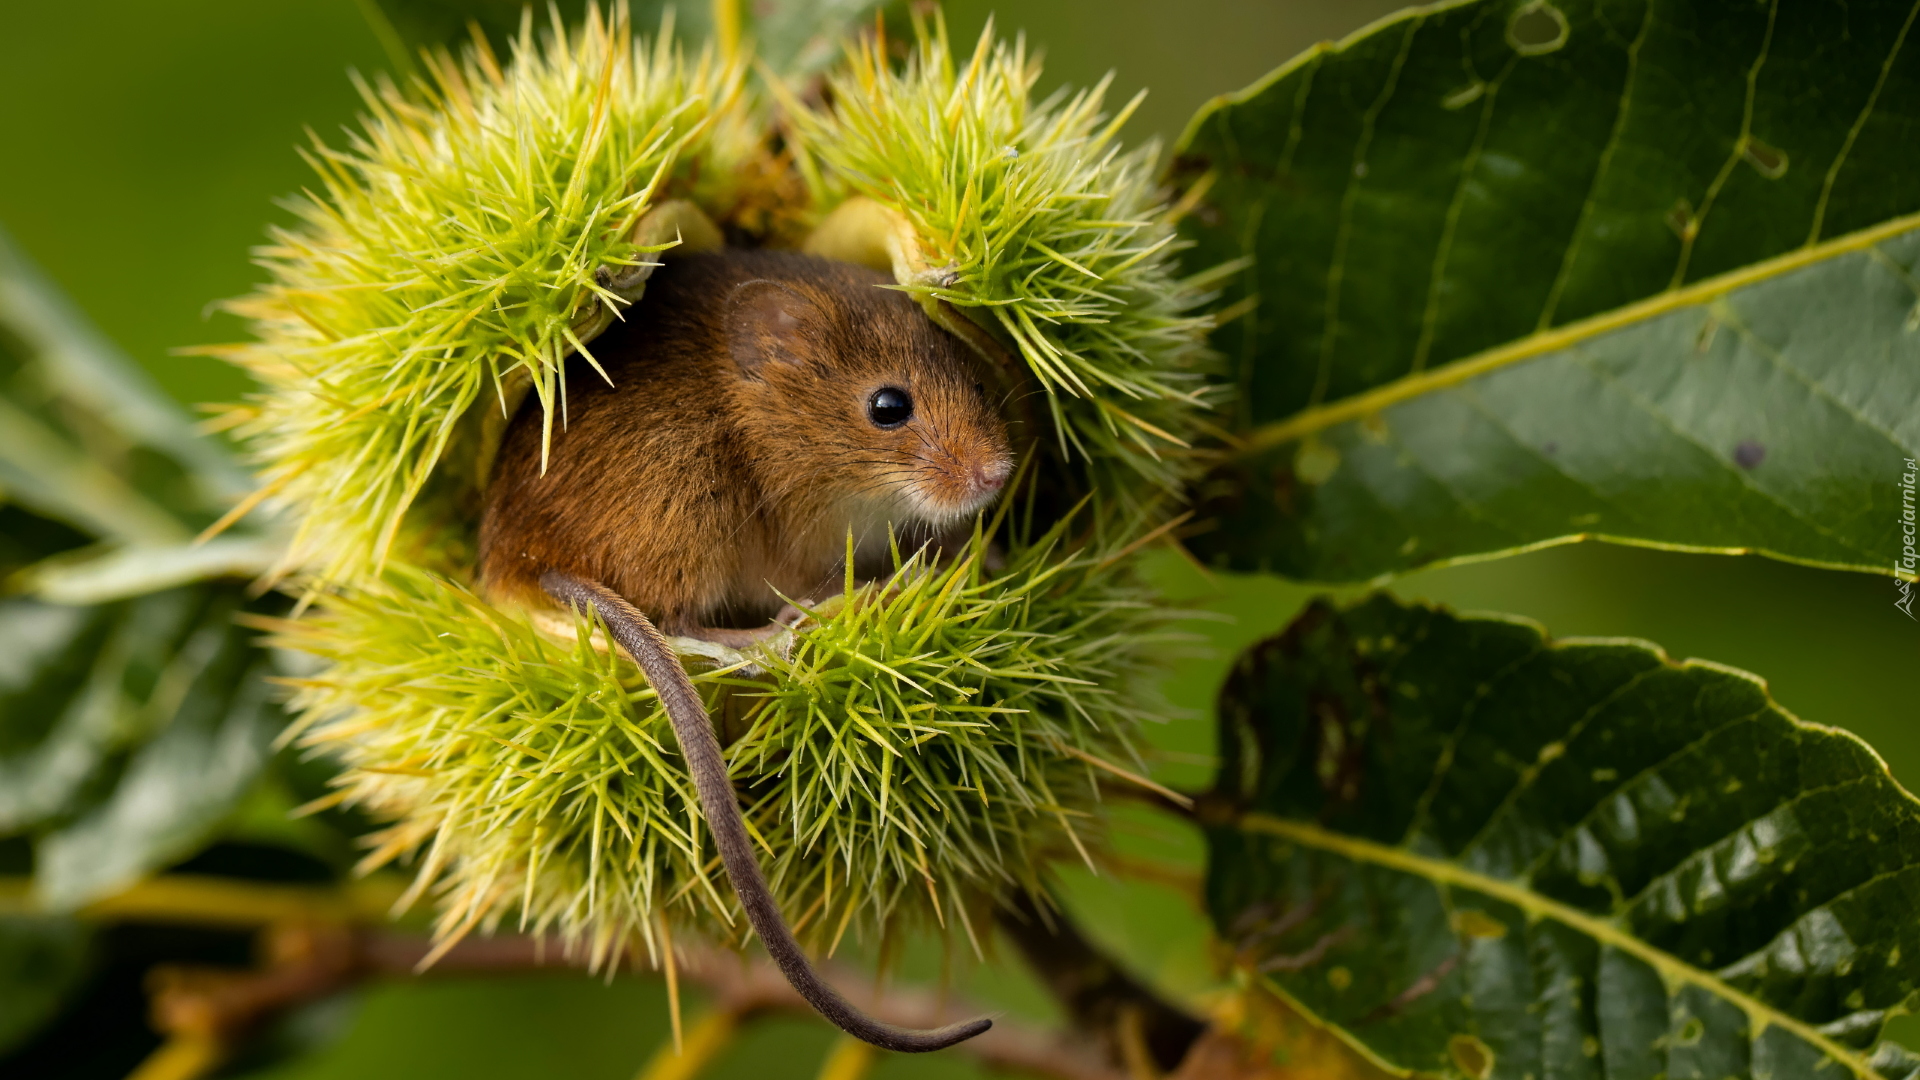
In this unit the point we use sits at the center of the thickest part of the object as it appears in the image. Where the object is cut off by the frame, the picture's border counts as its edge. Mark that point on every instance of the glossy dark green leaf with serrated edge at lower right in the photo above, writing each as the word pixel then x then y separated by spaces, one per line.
pixel 1485 854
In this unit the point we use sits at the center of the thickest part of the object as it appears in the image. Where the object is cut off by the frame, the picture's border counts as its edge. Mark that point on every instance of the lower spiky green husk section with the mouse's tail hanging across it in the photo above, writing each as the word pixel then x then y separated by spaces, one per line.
pixel 923 750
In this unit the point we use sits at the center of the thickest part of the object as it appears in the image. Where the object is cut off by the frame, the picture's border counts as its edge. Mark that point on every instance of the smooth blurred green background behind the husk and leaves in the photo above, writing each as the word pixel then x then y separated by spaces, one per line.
pixel 145 149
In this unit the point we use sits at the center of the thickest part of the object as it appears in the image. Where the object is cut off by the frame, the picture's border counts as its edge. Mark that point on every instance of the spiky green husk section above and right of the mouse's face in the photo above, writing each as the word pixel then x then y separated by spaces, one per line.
pixel 1034 220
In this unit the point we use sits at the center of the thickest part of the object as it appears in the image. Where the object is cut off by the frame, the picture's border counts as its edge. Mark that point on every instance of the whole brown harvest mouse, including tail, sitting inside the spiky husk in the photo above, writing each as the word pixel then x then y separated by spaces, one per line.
pixel 761 406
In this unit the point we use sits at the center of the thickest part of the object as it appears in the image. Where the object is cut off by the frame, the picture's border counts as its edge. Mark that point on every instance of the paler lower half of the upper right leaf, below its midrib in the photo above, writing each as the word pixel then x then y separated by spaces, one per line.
pixel 1777 418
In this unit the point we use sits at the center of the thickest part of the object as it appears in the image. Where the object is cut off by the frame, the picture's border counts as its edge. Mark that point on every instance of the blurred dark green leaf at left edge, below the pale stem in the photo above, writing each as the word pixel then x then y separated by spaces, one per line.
pixel 103 708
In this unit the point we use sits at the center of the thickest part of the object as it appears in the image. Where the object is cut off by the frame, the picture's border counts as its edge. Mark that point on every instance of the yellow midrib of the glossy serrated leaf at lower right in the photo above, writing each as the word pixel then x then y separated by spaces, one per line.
pixel 1537 906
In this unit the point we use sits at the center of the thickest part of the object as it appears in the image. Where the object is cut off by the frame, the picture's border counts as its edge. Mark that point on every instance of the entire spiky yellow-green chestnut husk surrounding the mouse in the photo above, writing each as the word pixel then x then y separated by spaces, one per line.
pixel 915 752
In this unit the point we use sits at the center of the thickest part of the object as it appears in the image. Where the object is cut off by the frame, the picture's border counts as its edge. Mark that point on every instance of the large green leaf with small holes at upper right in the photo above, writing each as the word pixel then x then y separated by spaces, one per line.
pixel 1539 272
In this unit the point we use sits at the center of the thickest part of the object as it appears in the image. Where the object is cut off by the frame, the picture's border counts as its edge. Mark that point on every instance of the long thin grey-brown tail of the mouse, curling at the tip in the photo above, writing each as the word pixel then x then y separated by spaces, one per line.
pixel 702 750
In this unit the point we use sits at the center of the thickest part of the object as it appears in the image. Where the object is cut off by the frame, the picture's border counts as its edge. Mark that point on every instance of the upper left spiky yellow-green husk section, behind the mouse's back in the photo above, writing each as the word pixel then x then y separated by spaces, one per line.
pixel 450 253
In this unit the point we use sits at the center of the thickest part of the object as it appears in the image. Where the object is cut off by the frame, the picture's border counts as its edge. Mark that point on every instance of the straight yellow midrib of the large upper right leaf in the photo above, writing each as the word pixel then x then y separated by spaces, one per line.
pixel 1320 418
